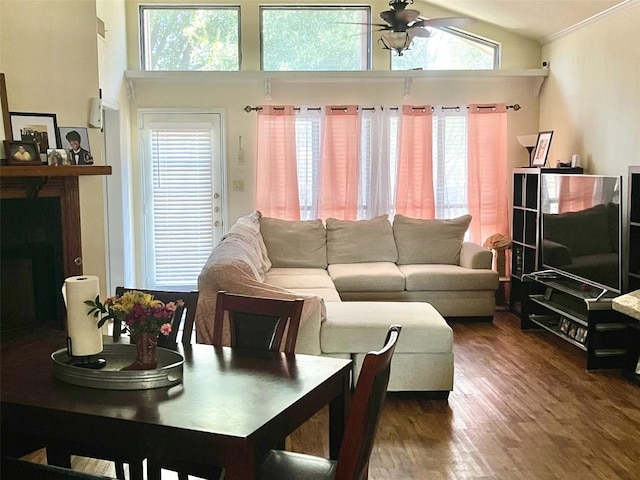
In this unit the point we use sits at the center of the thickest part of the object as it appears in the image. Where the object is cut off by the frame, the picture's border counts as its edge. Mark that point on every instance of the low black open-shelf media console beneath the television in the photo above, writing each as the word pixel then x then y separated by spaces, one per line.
pixel 579 313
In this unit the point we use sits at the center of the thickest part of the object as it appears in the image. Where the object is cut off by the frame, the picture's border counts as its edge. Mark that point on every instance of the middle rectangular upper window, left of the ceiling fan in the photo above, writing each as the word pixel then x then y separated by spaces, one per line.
pixel 315 38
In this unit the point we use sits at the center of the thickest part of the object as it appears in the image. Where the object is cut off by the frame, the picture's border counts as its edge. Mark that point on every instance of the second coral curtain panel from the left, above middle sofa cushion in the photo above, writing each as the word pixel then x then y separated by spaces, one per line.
pixel 339 163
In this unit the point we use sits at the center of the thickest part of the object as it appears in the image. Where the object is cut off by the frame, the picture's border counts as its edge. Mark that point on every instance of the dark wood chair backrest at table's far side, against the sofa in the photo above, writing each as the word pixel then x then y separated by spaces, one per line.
pixel 257 323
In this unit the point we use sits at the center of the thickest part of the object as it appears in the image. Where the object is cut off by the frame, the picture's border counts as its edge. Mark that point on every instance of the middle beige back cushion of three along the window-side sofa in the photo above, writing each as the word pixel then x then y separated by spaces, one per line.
pixel 358 241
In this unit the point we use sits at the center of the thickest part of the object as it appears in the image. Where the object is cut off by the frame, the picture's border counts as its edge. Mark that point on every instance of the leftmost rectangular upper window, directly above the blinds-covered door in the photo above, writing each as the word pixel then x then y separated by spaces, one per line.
pixel 192 38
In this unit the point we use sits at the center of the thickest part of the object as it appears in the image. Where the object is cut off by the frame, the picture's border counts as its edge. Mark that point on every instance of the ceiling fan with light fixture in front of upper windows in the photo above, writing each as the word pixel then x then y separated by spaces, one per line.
pixel 404 24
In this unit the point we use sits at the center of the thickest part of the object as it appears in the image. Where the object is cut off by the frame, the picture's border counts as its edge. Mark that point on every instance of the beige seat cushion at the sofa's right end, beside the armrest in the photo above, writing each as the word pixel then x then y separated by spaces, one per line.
pixel 439 277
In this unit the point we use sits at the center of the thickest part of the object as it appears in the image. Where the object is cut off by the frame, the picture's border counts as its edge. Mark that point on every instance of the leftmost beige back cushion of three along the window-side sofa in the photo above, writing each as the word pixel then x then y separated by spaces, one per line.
pixel 295 244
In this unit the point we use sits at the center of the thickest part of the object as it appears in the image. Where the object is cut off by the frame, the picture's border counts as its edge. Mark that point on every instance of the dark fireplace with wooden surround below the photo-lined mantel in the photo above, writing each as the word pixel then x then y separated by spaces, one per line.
pixel 40 246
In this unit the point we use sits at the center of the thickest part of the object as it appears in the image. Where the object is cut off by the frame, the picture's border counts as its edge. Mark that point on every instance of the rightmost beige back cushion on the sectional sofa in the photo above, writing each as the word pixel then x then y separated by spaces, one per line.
pixel 429 241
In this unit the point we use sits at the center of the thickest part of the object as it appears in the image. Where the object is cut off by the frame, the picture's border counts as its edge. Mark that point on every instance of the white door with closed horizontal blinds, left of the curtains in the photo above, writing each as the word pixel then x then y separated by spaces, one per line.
pixel 183 178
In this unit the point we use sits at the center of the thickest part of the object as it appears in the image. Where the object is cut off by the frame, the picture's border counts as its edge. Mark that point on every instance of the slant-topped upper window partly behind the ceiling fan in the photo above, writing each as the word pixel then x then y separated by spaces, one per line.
pixel 448 49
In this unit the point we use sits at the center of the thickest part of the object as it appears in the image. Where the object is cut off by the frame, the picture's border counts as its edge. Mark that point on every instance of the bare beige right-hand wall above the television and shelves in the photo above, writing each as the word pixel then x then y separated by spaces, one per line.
pixel 592 97
